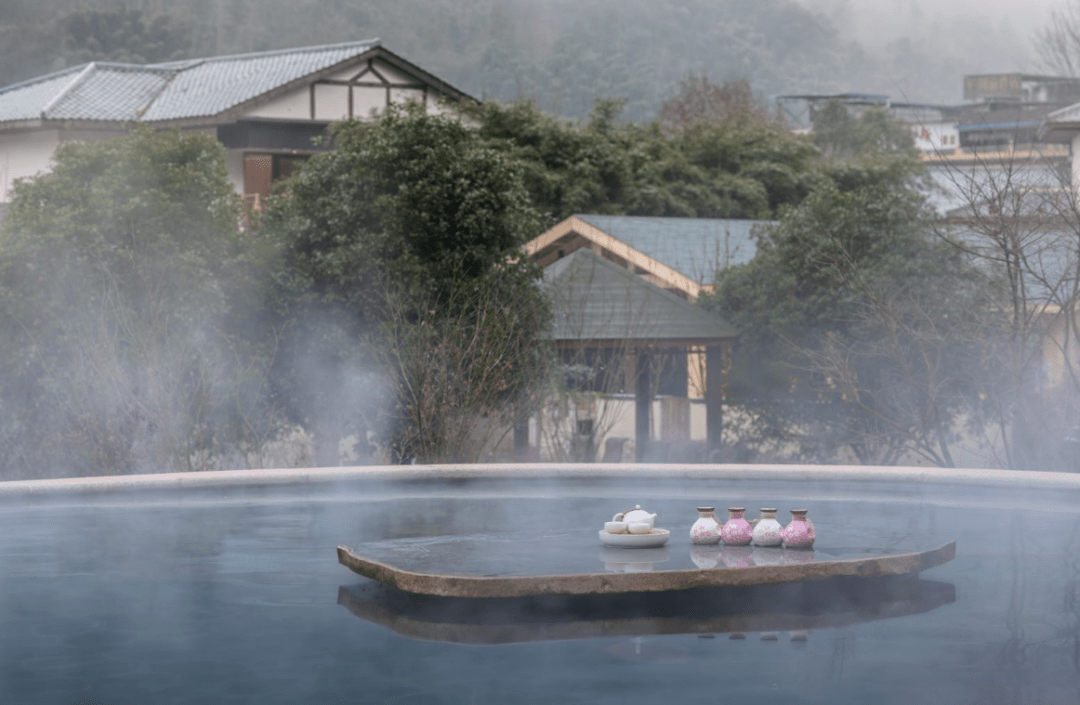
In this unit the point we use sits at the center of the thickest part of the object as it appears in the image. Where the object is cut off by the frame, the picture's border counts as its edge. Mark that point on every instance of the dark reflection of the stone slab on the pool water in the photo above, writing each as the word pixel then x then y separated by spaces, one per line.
pixel 767 609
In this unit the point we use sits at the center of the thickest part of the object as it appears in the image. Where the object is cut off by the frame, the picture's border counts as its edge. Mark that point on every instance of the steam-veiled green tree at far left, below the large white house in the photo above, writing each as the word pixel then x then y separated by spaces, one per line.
pixel 129 308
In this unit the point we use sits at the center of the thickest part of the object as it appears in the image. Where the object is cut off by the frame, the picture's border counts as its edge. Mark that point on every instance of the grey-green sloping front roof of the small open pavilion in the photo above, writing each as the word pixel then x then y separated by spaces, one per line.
pixel 596 300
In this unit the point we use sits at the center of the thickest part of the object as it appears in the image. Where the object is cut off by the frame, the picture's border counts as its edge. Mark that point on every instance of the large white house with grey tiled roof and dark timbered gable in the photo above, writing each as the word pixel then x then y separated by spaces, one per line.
pixel 266 109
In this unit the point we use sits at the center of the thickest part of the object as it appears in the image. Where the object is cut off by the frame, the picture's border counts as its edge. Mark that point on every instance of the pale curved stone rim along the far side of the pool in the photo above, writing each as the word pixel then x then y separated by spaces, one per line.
pixel 933 477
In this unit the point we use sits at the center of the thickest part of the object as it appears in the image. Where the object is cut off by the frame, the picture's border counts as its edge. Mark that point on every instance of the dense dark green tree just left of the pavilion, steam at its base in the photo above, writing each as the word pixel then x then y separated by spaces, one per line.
pixel 415 211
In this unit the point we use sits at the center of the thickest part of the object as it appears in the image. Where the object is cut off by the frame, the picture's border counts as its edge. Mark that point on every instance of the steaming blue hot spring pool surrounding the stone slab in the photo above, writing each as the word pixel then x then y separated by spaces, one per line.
pixel 225 589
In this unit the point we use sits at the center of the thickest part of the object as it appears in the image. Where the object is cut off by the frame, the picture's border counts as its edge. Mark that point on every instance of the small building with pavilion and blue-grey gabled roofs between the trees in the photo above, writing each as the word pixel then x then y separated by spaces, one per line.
pixel 642 362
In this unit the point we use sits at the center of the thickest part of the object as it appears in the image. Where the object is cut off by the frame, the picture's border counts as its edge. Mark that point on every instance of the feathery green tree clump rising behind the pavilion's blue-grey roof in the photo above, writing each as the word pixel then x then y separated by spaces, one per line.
pixel 737 170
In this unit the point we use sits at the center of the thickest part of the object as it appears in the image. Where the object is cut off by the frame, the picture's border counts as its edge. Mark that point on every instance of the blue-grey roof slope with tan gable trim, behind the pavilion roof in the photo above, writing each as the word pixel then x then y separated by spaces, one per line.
pixel 697 248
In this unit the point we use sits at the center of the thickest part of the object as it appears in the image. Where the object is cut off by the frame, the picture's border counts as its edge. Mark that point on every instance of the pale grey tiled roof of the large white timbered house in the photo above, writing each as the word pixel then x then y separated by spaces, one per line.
pixel 172 91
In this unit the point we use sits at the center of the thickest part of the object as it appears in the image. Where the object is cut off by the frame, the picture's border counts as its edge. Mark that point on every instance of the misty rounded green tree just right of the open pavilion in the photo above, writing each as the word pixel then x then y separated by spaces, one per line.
pixel 859 328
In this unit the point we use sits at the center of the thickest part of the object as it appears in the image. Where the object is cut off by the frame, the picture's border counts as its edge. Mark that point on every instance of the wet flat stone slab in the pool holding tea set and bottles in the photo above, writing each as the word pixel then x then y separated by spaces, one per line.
pixel 575 563
